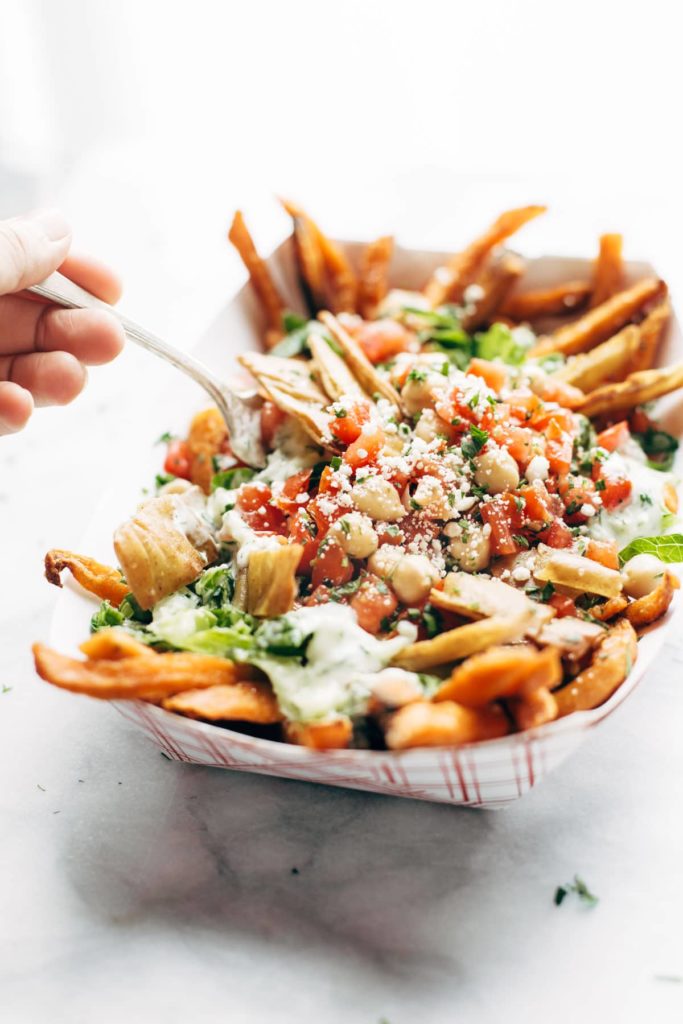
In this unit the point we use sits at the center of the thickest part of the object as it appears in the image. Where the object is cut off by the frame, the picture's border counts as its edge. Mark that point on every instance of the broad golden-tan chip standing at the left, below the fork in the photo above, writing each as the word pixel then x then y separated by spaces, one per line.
pixel 155 556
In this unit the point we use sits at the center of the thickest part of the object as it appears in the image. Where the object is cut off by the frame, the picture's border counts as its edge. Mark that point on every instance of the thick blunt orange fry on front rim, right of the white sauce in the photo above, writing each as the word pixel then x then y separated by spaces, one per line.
pixel 446 724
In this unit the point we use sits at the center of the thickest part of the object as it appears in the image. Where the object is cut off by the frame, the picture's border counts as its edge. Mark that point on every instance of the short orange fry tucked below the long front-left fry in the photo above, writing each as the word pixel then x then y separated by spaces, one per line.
pixel 248 701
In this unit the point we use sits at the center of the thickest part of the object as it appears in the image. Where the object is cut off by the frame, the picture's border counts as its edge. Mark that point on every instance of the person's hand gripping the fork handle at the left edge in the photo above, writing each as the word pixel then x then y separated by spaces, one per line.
pixel 44 350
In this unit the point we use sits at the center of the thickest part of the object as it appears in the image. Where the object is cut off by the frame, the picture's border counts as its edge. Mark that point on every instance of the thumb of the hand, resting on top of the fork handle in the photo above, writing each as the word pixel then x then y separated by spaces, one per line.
pixel 32 247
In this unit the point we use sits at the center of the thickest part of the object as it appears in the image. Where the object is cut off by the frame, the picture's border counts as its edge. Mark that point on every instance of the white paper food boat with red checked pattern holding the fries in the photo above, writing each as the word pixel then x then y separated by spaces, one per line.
pixel 489 775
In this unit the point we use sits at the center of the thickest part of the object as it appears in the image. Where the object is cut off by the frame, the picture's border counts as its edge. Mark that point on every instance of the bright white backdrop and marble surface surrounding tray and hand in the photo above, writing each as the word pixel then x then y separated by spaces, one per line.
pixel 161 893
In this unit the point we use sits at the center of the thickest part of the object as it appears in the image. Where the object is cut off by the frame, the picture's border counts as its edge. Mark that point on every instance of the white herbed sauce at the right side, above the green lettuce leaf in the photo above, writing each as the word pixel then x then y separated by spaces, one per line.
pixel 639 517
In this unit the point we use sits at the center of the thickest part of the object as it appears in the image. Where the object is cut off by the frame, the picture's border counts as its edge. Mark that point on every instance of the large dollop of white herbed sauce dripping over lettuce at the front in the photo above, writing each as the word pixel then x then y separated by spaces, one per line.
pixel 340 658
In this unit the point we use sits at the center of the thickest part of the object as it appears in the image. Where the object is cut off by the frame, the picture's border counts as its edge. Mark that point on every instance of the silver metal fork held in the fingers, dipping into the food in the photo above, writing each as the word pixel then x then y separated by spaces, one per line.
pixel 241 411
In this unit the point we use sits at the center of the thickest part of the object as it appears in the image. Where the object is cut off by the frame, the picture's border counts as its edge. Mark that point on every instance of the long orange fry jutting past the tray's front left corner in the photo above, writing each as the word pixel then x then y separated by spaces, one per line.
pixel 135 678
